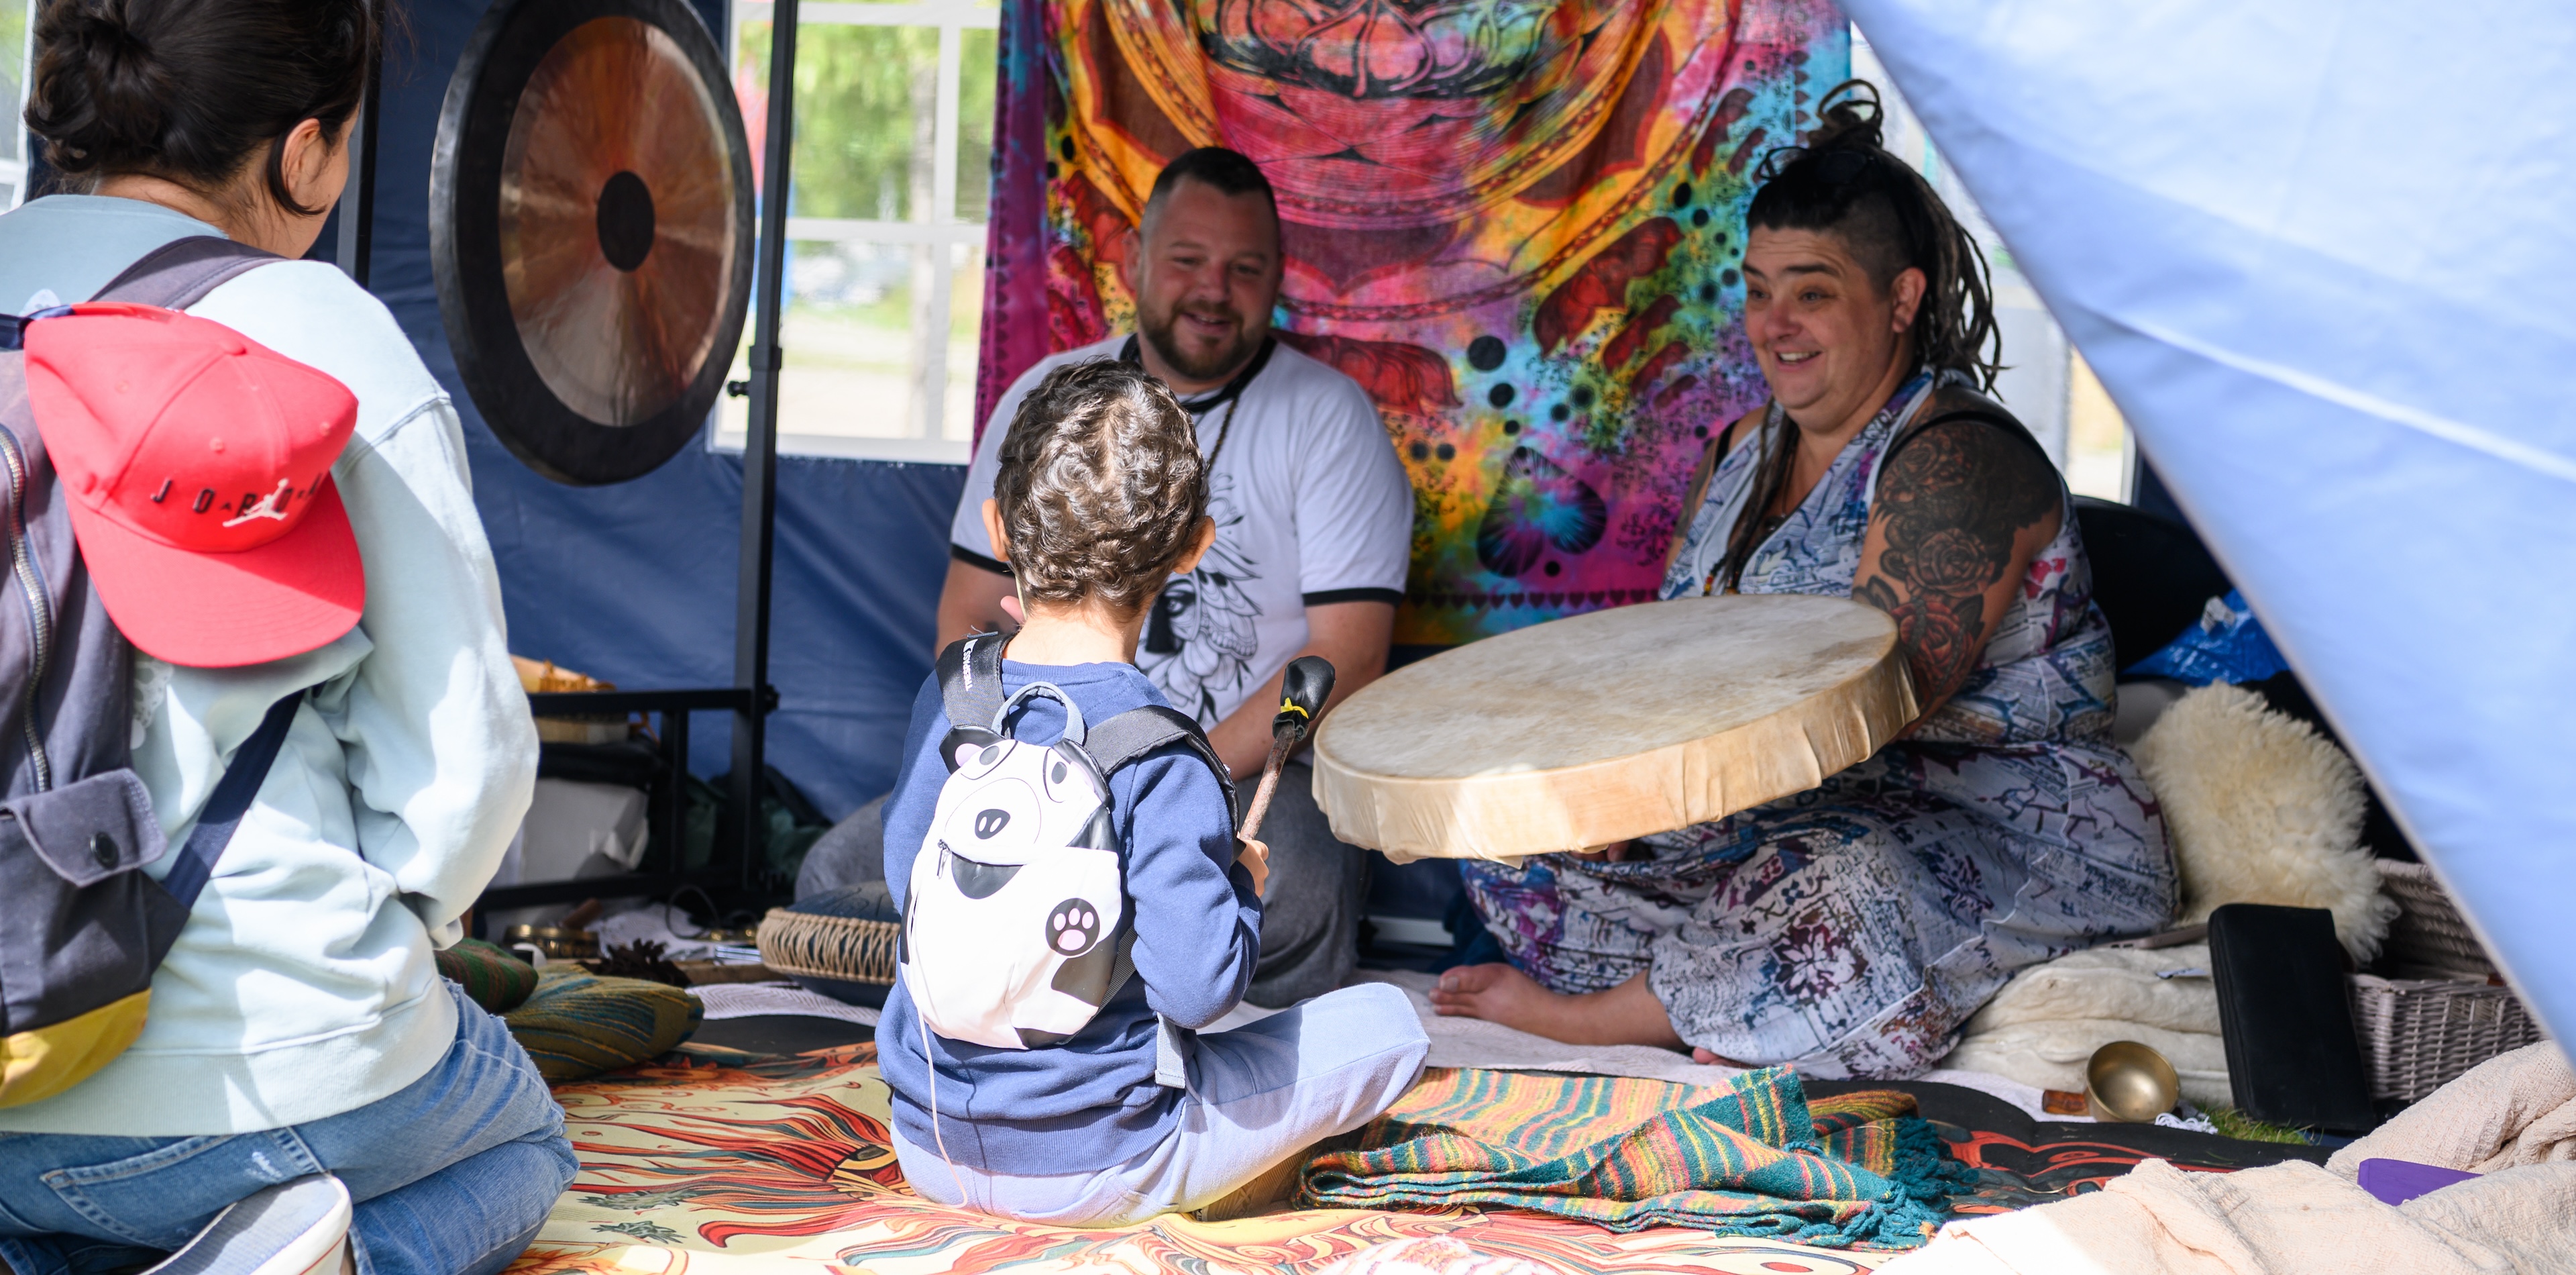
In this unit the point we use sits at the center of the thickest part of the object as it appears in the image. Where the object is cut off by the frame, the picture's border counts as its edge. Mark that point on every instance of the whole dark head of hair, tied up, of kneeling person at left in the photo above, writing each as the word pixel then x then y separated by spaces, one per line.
pixel 192 89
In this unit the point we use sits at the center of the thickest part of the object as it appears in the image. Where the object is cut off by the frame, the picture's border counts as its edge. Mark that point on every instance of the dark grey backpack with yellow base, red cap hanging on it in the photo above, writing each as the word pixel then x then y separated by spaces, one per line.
pixel 84 929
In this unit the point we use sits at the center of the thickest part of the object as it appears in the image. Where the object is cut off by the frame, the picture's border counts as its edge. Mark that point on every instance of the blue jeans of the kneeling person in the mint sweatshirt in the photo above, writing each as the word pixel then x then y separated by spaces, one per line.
pixel 452 1176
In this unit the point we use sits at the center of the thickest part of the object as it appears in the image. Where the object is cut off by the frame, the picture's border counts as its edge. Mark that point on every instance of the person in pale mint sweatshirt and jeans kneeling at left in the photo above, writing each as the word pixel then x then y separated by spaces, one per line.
pixel 305 1093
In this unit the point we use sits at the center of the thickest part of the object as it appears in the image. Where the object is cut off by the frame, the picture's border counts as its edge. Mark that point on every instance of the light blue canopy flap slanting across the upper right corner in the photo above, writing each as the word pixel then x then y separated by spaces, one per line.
pixel 2322 256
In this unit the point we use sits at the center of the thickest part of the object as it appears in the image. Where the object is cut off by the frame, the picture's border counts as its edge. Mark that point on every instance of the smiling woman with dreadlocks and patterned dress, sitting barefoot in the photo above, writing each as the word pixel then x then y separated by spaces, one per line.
pixel 1856 926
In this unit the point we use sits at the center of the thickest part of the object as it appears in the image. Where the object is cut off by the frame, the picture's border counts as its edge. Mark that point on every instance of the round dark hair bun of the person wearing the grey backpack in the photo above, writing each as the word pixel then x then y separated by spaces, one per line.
pixel 99 97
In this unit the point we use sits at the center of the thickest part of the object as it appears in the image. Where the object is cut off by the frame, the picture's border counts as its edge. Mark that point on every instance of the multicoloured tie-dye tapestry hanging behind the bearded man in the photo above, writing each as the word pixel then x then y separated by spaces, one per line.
pixel 1516 223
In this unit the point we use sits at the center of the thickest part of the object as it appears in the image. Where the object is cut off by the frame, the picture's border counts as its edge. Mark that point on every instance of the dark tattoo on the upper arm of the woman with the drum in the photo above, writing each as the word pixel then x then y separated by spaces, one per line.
pixel 1951 504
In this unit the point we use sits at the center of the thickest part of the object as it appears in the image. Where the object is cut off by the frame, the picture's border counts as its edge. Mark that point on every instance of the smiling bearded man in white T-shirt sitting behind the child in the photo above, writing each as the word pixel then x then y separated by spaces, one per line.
pixel 1312 540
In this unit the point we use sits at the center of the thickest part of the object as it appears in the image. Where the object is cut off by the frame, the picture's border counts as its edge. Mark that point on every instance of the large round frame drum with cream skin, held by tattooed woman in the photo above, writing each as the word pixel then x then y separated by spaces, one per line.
pixel 1614 725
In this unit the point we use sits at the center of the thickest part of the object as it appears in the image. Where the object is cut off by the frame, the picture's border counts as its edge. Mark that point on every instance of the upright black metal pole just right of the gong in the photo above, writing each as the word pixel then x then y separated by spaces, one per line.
pixel 761 444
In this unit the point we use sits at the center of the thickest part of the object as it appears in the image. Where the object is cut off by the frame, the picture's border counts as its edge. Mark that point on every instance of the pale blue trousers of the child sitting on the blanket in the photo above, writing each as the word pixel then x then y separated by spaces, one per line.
pixel 1258 1093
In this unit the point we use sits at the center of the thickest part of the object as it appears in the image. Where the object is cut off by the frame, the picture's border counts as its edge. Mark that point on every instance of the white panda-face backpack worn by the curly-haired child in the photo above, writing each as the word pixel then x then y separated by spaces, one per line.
pixel 1016 923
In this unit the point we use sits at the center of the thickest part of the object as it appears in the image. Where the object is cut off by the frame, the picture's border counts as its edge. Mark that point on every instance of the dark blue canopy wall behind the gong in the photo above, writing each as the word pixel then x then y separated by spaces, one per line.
pixel 635 583
